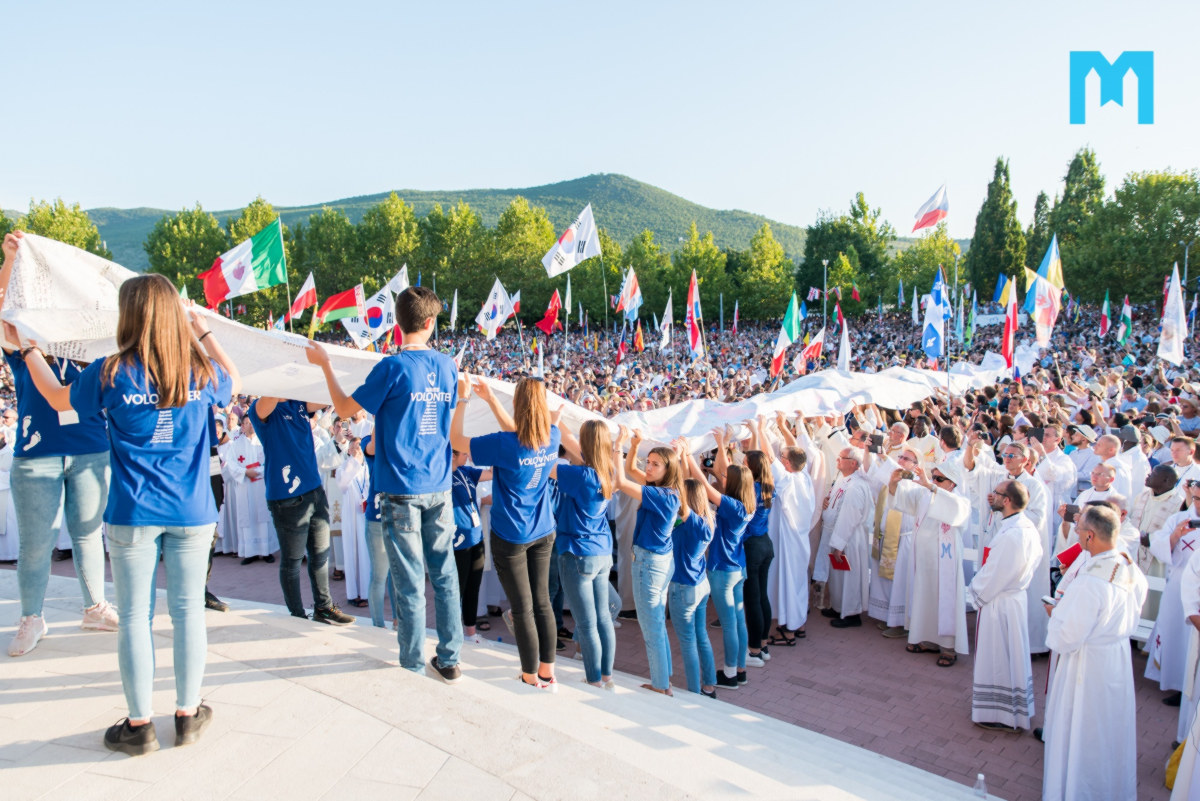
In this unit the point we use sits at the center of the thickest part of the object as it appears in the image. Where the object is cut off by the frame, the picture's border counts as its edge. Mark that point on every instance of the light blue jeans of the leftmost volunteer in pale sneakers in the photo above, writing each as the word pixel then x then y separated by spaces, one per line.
pixel 40 486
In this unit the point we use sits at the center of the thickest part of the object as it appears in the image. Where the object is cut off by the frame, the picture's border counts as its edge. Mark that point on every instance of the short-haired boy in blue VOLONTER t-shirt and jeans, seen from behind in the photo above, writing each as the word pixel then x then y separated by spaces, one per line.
pixel 412 396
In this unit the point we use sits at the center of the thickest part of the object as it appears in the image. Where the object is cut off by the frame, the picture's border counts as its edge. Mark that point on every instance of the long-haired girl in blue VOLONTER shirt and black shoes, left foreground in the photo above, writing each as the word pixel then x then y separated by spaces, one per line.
pixel 157 392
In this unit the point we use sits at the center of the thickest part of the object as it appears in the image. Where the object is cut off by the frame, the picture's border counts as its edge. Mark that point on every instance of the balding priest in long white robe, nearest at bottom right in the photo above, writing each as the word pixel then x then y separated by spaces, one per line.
pixel 1091 720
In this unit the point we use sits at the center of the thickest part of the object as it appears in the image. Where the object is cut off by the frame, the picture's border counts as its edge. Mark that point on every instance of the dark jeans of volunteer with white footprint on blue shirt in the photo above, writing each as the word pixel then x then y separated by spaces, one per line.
pixel 303 528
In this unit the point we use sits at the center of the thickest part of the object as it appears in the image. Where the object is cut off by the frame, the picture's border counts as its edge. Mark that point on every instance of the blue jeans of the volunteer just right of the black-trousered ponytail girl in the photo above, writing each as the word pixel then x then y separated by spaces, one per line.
pixel 586 585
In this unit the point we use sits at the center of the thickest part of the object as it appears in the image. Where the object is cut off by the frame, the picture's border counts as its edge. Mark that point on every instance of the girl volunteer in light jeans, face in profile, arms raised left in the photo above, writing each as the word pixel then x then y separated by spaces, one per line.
pixel 659 489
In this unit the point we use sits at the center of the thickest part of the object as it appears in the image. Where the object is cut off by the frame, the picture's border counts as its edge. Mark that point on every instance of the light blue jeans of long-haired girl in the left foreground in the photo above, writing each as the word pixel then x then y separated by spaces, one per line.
pixel 134 553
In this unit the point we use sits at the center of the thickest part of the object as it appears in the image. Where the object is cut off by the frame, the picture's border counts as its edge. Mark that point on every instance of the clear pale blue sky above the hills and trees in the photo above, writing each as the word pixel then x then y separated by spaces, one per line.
pixel 783 109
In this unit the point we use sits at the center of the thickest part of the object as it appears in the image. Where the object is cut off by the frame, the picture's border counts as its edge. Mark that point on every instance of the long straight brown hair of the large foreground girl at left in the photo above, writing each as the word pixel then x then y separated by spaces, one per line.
pixel 154 330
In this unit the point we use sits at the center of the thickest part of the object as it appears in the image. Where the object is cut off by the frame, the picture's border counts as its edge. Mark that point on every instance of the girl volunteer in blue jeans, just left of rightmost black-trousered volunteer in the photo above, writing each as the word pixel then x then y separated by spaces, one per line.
pixel 727 559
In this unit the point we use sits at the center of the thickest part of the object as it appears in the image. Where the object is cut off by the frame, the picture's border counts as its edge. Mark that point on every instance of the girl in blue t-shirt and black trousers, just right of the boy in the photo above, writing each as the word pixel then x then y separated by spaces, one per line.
pixel 521 456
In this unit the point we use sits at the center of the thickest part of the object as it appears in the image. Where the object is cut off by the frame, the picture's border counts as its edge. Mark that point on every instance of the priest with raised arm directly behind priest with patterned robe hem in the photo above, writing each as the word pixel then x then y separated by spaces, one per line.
pixel 985 475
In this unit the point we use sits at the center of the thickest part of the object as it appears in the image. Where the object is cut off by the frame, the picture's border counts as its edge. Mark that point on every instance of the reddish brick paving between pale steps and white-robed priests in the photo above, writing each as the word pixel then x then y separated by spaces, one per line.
pixel 851 685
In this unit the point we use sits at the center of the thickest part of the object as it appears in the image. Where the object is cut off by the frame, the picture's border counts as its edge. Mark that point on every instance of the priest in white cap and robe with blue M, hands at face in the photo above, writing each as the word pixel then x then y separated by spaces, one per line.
pixel 938 613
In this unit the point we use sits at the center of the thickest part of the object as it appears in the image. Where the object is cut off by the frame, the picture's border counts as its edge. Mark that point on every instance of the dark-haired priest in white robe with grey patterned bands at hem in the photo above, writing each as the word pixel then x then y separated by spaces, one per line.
pixel 1003 692
